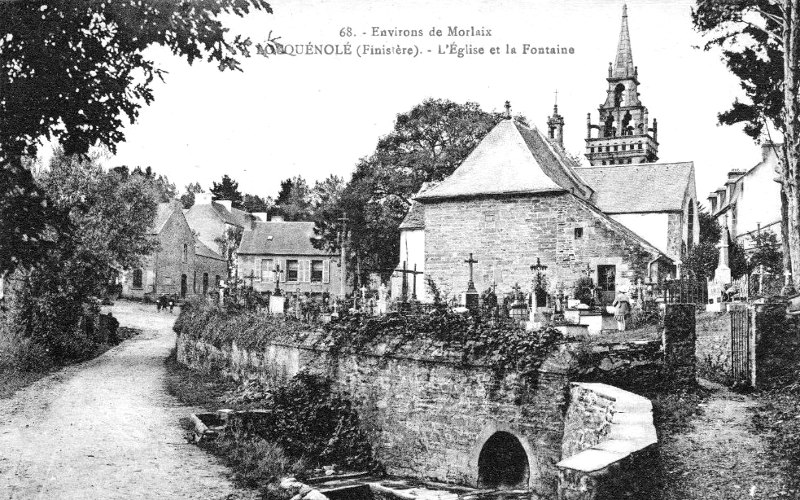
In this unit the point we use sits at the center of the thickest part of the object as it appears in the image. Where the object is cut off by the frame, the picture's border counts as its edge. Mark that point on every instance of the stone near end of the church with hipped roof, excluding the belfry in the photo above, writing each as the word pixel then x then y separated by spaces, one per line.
pixel 518 200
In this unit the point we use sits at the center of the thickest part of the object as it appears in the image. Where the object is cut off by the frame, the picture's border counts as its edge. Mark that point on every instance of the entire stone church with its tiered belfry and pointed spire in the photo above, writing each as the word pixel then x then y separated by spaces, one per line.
pixel 521 205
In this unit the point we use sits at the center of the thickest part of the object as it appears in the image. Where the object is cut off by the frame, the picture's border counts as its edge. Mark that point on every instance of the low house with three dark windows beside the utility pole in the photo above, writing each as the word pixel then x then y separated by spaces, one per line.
pixel 285 249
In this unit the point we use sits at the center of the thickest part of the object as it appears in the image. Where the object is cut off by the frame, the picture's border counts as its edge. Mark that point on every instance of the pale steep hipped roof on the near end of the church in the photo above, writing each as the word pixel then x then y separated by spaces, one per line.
pixel 511 159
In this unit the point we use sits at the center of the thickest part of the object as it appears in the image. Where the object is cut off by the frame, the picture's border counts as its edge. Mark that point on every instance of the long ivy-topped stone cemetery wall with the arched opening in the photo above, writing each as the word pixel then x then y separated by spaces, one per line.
pixel 428 412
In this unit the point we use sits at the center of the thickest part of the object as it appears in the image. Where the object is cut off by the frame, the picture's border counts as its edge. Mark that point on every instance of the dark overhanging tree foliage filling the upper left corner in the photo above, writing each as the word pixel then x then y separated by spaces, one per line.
pixel 75 71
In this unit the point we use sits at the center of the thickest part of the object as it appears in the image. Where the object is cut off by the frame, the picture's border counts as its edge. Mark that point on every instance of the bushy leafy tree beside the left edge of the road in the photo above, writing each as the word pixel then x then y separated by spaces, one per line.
pixel 109 217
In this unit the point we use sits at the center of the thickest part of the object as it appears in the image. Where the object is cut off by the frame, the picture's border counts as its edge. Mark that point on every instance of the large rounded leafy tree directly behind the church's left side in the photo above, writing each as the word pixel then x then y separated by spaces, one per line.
pixel 426 144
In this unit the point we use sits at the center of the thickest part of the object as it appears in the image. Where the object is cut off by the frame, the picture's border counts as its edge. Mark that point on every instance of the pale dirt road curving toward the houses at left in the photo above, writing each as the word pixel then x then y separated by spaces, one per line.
pixel 106 428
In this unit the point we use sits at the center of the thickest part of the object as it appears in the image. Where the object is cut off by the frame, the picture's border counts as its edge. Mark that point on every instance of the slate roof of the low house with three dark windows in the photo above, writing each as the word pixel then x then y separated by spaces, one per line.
pixel 280 238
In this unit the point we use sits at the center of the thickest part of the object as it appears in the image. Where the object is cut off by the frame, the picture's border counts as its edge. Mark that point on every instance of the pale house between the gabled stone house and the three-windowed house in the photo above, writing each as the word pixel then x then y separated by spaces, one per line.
pixel 211 220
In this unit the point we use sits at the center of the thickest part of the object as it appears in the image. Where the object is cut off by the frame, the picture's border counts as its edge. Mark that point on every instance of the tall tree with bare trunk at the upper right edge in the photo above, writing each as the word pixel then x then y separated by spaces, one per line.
pixel 760 41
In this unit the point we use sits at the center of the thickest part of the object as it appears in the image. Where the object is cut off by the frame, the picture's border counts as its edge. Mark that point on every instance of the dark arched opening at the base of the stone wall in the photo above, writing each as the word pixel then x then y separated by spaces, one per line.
pixel 503 462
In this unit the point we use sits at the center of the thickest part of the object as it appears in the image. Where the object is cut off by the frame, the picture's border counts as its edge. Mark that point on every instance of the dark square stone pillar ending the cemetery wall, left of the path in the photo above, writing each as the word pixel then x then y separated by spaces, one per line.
pixel 679 343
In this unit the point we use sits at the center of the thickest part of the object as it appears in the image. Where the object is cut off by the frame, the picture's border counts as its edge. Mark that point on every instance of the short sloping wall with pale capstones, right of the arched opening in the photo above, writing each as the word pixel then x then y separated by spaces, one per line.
pixel 610 443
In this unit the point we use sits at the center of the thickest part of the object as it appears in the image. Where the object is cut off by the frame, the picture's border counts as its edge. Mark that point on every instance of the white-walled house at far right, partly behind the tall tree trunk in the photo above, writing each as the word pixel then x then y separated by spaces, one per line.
pixel 750 200
